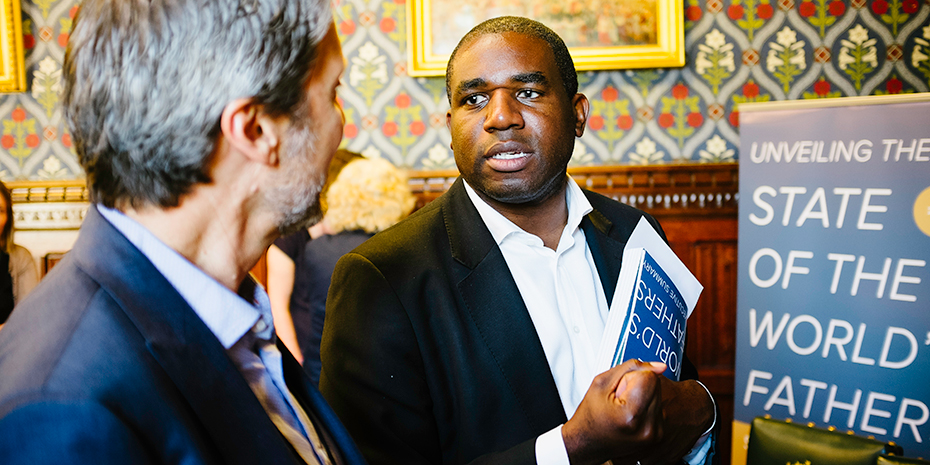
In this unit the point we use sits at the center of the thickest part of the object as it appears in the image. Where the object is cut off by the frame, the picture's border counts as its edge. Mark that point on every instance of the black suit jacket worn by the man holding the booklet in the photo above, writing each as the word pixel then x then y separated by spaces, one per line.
pixel 429 354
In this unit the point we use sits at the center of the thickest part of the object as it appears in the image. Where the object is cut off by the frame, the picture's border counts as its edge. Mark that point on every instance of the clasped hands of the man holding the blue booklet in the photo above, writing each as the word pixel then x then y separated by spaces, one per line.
pixel 633 413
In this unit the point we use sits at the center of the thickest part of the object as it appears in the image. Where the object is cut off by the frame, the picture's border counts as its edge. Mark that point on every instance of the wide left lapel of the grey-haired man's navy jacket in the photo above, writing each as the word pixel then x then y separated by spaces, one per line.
pixel 183 345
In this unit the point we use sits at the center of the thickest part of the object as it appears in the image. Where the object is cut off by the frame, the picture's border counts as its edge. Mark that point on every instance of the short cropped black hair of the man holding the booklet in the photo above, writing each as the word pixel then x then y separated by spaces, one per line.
pixel 528 27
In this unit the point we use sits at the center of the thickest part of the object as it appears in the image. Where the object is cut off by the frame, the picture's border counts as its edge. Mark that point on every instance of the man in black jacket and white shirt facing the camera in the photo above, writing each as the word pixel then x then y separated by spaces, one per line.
pixel 469 331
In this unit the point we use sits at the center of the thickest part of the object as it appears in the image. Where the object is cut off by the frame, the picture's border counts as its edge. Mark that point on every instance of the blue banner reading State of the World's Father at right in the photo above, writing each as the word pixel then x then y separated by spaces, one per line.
pixel 833 305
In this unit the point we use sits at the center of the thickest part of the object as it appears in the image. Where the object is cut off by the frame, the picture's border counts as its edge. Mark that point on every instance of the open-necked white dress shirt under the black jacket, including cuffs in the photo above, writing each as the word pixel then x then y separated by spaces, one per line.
pixel 564 297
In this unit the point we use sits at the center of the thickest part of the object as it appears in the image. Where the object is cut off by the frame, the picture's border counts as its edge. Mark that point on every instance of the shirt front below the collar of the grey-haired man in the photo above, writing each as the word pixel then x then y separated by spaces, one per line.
pixel 260 363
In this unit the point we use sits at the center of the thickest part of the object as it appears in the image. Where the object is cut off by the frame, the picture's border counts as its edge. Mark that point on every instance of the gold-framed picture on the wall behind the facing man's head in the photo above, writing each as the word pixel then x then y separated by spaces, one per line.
pixel 642 33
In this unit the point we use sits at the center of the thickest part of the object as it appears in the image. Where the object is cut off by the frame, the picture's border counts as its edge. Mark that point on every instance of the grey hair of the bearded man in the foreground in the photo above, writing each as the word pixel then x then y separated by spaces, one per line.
pixel 146 82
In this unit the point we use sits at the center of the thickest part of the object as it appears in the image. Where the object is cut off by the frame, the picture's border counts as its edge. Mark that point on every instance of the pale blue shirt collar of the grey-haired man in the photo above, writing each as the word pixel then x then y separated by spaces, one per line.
pixel 226 314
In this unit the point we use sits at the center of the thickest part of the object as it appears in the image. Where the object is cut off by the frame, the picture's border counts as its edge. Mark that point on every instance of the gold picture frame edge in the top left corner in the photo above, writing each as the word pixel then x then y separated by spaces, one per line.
pixel 12 60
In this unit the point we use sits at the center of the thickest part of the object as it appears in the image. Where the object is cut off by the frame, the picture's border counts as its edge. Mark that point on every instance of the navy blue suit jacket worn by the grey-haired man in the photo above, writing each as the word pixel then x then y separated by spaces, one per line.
pixel 106 363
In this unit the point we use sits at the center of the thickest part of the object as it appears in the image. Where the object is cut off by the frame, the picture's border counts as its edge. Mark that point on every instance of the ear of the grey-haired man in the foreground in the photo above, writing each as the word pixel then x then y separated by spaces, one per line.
pixel 251 131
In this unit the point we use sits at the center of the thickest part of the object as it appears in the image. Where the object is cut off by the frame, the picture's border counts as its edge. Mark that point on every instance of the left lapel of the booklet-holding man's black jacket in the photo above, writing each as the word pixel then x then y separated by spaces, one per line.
pixel 494 303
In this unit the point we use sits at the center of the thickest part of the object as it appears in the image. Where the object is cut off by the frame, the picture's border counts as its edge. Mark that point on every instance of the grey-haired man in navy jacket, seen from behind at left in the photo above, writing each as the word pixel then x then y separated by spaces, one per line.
pixel 205 129
